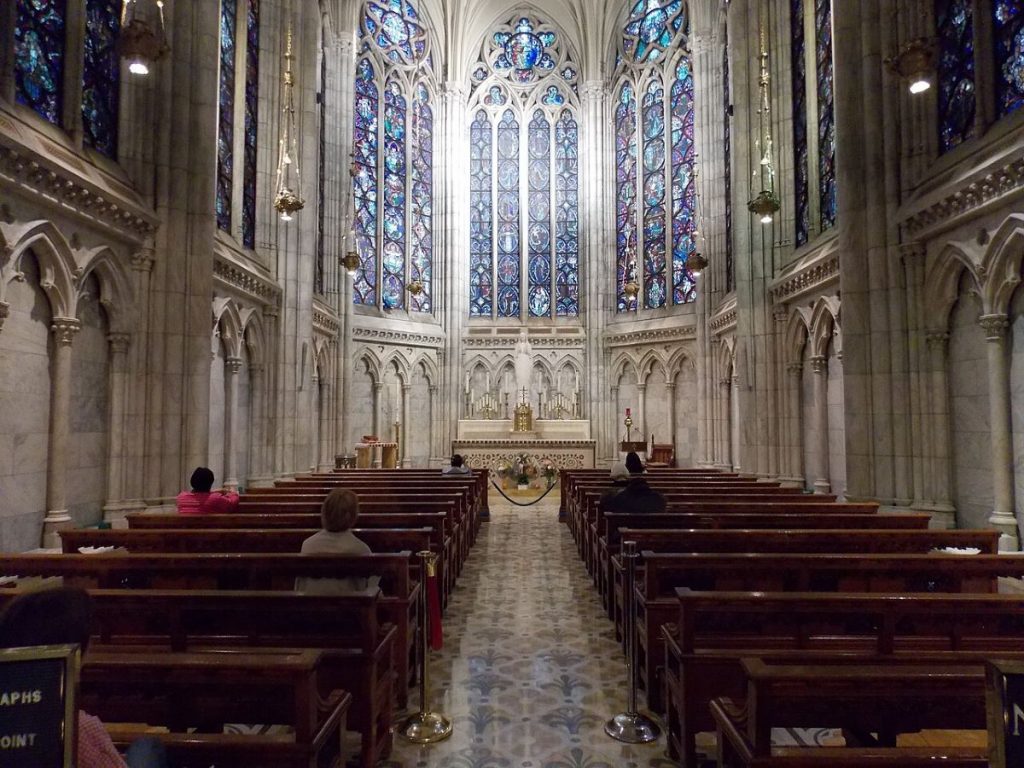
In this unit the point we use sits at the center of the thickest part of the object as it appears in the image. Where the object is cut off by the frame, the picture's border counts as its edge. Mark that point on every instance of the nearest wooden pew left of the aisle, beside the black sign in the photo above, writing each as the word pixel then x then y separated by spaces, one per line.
pixel 194 696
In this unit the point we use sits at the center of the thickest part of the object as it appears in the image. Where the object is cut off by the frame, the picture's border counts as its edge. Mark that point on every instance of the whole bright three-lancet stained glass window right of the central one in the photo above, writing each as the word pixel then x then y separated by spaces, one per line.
pixel 656 189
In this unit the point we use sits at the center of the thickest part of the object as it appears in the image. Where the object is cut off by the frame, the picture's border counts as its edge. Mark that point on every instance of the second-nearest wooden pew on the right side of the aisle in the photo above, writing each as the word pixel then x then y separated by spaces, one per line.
pixel 715 630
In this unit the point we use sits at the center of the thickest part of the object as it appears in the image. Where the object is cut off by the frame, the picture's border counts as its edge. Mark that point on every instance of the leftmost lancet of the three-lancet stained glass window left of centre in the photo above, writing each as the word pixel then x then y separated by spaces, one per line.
pixel 365 183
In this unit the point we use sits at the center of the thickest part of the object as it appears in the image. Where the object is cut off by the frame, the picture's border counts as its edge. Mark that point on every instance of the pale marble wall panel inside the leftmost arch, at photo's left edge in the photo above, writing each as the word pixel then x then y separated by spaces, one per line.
pixel 25 412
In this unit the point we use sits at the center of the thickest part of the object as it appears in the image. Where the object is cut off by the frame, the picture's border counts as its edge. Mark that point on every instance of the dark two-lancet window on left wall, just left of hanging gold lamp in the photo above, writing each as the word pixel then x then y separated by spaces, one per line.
pixel 238 106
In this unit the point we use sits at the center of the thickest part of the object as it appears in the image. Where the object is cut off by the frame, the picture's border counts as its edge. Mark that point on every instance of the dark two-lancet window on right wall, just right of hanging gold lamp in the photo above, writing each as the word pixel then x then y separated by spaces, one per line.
pixel 814 118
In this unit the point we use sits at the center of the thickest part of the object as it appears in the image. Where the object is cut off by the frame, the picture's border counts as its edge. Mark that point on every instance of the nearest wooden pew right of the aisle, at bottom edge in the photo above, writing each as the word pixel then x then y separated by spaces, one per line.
pixel 888 700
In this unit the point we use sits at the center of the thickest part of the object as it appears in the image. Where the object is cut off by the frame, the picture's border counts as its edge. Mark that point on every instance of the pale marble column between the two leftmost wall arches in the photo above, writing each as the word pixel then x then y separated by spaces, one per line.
pixel 64 330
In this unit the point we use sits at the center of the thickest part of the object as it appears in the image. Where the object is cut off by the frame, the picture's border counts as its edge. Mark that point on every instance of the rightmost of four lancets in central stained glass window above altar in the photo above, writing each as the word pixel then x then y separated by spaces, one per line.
pixel 568 217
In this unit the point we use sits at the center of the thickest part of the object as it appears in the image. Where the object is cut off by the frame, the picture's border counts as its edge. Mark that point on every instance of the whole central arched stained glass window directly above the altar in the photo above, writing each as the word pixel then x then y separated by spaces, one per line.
pixel 524 176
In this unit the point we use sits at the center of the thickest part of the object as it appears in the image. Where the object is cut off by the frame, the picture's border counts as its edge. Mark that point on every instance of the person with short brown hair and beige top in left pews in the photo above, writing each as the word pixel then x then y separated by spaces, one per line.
pixel 338 516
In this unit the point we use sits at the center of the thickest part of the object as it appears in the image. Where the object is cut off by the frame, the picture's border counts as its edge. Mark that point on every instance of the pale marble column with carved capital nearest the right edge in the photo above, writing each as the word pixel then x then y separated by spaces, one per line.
pixel 996 328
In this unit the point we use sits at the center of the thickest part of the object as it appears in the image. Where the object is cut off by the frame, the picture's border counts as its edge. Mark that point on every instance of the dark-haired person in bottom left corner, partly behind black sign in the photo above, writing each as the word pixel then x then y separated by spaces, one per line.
pixel 63 617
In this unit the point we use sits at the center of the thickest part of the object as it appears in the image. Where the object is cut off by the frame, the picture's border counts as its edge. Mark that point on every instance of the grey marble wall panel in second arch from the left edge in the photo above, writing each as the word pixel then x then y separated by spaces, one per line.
pixel 90 403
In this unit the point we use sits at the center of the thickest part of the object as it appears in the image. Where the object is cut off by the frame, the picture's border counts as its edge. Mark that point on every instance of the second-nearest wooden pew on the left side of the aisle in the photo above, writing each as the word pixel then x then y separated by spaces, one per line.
pixel 358 650
